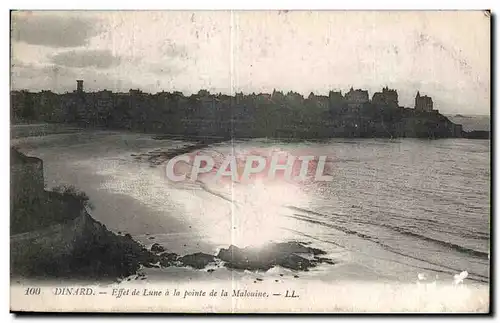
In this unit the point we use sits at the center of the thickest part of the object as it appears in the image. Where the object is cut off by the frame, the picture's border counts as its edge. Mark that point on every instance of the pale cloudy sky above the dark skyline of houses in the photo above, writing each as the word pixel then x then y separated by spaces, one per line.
pixel 443 54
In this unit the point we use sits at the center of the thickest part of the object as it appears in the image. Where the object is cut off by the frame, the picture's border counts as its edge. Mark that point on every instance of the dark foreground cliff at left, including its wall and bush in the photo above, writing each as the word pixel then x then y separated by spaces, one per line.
pixel 52 234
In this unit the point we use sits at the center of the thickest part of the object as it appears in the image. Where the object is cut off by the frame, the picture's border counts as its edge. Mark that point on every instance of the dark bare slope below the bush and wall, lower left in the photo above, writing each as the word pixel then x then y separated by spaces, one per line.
pixel 76 248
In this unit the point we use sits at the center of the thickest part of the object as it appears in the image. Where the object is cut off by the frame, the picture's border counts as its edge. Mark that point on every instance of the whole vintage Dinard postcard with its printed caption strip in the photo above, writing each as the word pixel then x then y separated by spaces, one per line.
pixel 250 161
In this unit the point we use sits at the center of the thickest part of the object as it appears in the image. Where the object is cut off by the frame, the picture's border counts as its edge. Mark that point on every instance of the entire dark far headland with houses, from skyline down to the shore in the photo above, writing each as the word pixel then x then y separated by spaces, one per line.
pixel 277 115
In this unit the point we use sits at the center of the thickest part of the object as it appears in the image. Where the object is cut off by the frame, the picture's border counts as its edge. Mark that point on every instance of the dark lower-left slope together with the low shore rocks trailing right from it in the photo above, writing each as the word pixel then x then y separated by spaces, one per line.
pixel 84 248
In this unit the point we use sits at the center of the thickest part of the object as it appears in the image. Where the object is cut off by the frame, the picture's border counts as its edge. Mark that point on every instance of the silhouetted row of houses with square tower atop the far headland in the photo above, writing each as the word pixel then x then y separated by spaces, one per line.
pixel 105 107
